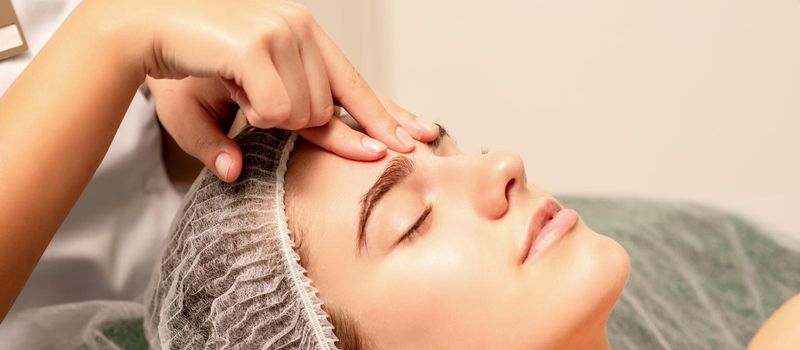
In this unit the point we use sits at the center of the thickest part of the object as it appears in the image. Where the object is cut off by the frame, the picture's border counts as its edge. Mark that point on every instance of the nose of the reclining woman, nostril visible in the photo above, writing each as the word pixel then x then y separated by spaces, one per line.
pixel 500 176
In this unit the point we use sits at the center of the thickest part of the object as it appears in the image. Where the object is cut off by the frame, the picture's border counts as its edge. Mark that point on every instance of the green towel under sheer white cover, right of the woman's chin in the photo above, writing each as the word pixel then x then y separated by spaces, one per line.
pixel 700 278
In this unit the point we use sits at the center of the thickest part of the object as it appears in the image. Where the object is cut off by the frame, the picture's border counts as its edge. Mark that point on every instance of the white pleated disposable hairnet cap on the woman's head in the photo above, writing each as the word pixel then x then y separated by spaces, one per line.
pixel 228 276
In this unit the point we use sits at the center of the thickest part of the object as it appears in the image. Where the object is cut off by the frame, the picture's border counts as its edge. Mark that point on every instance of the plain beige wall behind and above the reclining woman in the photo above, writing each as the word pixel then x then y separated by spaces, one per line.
pixel 685 99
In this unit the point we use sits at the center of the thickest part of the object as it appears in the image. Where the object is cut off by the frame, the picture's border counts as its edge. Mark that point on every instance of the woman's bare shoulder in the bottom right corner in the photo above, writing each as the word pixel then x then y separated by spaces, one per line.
pixel 781 330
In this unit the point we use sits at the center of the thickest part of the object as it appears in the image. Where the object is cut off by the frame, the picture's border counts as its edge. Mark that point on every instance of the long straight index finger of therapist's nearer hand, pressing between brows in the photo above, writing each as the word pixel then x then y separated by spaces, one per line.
pixel 354 94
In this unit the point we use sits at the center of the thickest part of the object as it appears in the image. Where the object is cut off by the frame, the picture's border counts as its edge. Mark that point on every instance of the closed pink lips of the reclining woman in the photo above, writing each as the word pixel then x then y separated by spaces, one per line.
pixel 548 223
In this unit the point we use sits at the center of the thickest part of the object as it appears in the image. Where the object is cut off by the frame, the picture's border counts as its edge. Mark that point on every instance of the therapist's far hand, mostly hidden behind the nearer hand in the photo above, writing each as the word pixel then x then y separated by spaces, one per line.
pixel 197 112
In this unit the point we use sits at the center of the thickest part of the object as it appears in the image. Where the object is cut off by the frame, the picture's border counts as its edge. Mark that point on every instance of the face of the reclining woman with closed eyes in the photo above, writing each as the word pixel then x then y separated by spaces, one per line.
pixel 459 281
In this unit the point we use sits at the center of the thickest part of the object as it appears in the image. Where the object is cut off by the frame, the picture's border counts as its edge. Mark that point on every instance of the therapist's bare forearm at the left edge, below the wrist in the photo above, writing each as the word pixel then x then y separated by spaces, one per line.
pixel 57 121
